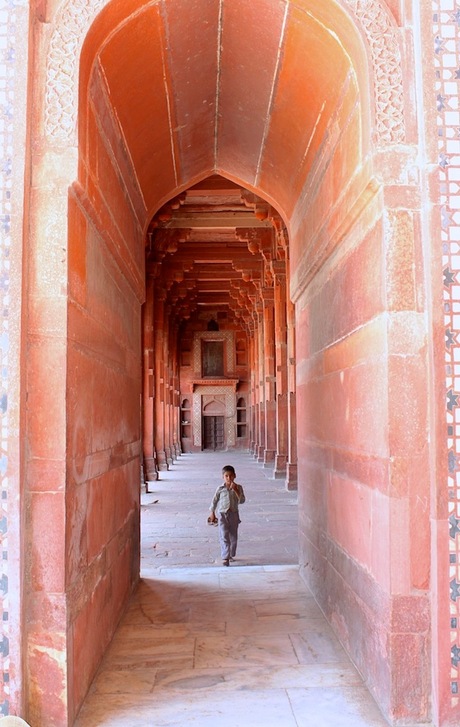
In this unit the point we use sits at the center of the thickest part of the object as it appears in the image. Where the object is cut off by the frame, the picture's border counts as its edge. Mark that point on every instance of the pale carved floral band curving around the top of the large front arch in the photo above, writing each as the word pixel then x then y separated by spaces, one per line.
pixel 74 18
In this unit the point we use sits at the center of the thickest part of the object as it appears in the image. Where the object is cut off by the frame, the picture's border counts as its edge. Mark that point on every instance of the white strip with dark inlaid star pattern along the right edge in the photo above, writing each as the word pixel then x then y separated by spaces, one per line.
pixel 446 28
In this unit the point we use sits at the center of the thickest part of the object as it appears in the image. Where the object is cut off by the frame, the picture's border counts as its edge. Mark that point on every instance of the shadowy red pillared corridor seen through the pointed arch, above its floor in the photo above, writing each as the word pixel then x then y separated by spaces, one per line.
pixel 217 263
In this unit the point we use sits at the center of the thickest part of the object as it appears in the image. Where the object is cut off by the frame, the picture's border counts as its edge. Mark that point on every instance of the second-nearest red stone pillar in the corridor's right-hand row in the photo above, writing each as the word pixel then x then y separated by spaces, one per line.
pixel 281 373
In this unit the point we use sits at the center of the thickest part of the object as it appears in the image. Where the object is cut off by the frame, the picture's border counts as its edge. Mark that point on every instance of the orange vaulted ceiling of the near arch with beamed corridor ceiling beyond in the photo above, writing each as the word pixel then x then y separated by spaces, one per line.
pixel 224 106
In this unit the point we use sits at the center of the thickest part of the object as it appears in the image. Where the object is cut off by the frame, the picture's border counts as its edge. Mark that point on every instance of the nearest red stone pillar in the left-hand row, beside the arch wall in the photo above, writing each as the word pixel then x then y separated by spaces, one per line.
pixel 150 470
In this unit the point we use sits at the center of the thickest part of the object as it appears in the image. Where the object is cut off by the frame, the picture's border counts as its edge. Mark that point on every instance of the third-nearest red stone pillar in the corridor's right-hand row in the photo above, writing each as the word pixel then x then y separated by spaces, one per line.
pixel 268 354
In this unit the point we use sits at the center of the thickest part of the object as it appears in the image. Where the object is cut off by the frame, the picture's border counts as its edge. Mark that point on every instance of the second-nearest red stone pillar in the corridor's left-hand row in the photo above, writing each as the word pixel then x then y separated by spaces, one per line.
pixel 159 338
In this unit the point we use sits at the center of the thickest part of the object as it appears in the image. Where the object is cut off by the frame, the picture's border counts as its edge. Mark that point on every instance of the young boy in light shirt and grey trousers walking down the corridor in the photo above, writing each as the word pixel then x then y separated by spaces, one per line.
pixel 225 502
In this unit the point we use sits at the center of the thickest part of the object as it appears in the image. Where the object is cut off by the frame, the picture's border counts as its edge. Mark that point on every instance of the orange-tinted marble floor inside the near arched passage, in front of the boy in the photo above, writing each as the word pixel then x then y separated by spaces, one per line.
pixel 234 661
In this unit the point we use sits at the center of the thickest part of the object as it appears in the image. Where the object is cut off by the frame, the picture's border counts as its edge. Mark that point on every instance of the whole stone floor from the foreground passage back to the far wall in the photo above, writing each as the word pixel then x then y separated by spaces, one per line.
pixel 202 644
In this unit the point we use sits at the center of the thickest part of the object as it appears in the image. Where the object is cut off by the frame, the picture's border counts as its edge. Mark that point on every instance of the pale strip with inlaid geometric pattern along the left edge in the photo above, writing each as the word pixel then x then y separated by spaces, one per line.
pixel 13 29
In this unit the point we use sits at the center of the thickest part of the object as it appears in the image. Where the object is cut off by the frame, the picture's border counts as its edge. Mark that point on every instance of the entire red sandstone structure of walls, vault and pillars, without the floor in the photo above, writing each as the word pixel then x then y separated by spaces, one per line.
pixel 226 225
